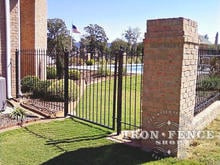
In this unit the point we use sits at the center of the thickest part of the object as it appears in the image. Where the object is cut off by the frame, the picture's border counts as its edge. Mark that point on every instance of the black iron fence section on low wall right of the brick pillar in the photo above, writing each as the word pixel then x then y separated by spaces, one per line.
pixel 208 78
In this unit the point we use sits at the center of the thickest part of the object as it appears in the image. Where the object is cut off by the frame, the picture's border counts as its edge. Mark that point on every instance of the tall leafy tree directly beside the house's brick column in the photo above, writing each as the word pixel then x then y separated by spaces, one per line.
pixel 58 38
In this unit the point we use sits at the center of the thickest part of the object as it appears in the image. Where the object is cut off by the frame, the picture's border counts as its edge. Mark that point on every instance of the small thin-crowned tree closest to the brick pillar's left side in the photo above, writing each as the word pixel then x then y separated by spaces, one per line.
pixel 132 35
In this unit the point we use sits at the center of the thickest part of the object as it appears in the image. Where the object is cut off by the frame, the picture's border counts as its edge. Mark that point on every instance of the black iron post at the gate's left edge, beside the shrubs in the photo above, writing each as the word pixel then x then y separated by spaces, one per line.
pixel 66 78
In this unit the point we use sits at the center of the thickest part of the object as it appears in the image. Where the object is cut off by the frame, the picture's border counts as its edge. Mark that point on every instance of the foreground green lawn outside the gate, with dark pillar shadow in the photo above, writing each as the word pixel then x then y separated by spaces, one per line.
pixel 74 142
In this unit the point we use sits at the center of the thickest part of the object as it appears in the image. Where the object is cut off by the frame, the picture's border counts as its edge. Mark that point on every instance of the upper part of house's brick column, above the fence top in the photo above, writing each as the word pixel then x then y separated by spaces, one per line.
pixel 33 24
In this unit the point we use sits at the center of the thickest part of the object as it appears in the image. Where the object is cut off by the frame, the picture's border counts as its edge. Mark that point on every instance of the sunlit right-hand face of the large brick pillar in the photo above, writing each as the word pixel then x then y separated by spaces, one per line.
pixel 188 81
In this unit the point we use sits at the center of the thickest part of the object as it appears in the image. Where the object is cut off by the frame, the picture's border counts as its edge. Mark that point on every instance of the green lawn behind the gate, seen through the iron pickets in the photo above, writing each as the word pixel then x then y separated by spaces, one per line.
pixel 96 103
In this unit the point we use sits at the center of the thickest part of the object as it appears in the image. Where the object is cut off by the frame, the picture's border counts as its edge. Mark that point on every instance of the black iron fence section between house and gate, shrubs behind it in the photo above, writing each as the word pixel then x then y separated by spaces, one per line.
pixel 41 77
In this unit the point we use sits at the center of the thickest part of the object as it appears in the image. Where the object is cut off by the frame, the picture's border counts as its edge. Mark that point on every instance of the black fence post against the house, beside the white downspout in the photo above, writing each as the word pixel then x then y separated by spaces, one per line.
pixel 18 74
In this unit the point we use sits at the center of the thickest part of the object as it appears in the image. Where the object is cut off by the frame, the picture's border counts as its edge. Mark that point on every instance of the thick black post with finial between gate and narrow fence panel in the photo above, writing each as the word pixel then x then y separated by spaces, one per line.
pixel 119 100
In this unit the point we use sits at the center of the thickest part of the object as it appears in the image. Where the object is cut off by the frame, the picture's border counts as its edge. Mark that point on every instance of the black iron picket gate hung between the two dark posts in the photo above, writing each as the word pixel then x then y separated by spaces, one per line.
pixel 96 88
